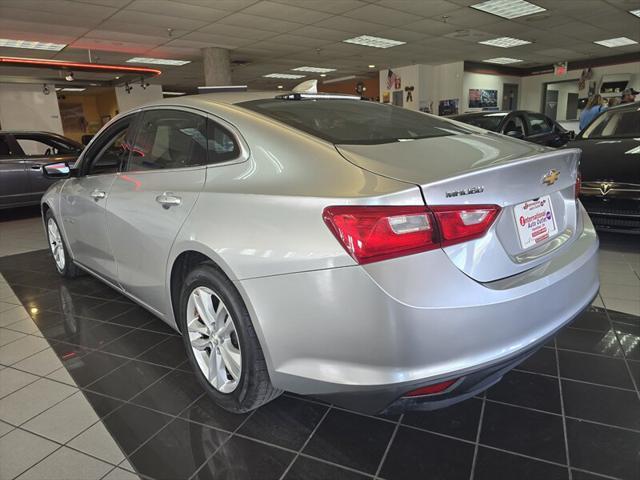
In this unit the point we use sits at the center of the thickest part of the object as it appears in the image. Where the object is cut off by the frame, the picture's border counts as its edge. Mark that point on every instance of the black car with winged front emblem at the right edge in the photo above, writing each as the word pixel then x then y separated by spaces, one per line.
pixel 610 168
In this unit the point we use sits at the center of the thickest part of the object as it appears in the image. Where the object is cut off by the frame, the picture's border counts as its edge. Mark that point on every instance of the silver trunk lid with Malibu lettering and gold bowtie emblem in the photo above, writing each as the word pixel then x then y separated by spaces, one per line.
pixel 483 169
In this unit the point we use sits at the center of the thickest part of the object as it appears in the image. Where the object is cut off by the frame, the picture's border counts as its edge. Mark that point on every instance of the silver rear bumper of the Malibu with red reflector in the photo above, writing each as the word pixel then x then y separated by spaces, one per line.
pixel 362 340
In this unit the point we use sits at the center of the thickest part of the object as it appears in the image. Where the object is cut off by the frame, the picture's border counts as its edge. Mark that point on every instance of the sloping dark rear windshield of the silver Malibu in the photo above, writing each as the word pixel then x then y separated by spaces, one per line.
pixel 354 121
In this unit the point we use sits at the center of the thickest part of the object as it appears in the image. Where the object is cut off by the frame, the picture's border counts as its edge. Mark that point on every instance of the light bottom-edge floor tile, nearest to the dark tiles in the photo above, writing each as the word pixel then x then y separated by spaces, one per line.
pixel 65 464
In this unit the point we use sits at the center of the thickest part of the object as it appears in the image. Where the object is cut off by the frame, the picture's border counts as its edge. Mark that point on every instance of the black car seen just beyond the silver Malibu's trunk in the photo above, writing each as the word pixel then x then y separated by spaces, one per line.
pixel 530 126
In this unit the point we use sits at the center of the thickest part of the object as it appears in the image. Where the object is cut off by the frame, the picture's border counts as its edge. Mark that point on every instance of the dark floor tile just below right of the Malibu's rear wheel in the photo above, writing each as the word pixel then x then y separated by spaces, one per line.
pixel 286 422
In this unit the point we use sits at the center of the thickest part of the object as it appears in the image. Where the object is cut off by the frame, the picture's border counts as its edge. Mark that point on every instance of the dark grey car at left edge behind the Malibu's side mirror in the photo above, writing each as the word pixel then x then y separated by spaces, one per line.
pixel 22 155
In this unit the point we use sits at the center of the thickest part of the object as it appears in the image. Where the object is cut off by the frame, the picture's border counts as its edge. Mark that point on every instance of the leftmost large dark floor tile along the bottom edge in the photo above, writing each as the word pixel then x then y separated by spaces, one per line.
pixel 177 450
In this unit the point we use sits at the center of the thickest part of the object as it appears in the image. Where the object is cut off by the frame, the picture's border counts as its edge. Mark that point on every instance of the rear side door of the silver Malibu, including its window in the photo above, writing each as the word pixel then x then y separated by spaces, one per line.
pixel 151 199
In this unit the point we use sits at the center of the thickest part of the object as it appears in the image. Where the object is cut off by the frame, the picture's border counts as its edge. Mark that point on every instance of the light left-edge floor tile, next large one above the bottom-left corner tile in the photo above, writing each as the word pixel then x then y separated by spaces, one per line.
pixel 33 399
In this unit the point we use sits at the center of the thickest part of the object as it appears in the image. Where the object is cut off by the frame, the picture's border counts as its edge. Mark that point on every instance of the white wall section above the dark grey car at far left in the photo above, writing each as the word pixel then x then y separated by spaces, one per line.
pixel 26 107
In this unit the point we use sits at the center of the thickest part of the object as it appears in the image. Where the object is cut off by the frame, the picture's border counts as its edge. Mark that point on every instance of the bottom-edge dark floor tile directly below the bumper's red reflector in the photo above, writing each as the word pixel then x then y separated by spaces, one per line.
pixel 415 454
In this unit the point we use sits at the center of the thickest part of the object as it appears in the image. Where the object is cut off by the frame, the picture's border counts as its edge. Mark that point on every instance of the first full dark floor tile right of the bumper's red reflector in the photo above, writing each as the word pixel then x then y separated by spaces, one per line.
pixel 528 390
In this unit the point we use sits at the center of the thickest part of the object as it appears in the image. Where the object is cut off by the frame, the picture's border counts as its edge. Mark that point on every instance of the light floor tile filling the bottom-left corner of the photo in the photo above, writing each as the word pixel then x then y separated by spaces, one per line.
pixel 19 450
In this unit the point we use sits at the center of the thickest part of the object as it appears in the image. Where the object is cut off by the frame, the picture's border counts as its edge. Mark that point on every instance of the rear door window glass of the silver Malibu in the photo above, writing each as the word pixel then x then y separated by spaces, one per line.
pixel 169 139
